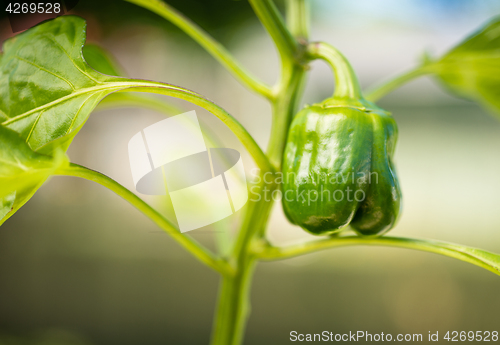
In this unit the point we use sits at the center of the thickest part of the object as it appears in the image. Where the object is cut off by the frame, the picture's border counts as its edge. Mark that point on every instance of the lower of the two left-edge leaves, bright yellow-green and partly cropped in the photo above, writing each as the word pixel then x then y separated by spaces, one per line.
pixel 22 171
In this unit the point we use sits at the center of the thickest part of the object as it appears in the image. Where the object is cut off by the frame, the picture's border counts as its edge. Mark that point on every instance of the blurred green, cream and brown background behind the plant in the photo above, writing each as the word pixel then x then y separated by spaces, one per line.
pixel 78 265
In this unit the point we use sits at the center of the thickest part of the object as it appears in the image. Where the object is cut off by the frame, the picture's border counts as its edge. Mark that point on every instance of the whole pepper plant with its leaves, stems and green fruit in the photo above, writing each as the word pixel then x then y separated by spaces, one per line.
pixel 49 87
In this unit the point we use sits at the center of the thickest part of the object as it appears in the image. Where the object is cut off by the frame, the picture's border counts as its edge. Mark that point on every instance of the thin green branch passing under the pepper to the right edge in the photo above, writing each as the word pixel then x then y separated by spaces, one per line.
pixel 478 257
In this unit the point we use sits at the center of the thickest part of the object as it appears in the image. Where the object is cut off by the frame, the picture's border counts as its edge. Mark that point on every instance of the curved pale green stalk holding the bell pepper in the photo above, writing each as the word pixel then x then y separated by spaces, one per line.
pixel 346 82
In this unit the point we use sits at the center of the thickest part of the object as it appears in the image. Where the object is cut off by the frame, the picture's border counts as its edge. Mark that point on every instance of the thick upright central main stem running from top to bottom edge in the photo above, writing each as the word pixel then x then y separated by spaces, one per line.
pixel 234 300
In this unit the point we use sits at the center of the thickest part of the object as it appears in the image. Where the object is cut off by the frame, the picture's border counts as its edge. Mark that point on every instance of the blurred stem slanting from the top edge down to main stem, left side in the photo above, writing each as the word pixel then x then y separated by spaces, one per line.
pixel 213 47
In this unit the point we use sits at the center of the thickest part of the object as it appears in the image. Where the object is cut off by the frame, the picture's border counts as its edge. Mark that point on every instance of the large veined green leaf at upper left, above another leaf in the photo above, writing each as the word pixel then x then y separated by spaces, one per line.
pixel 47 91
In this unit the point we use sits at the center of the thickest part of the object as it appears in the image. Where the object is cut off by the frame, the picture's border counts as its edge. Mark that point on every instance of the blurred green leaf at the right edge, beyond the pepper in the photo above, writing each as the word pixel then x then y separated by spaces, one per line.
pixel 472 69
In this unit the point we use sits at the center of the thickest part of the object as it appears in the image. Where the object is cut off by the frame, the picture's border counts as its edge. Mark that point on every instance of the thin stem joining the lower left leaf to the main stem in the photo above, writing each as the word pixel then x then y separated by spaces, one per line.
pixel 185 241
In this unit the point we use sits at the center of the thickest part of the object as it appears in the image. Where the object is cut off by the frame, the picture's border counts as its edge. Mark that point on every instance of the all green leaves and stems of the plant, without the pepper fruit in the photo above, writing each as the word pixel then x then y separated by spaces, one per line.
pixel 48 90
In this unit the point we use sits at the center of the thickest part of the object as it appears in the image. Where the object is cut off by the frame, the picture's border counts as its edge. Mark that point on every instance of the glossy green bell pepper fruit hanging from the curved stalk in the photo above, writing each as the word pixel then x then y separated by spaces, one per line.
pixel 338 169
